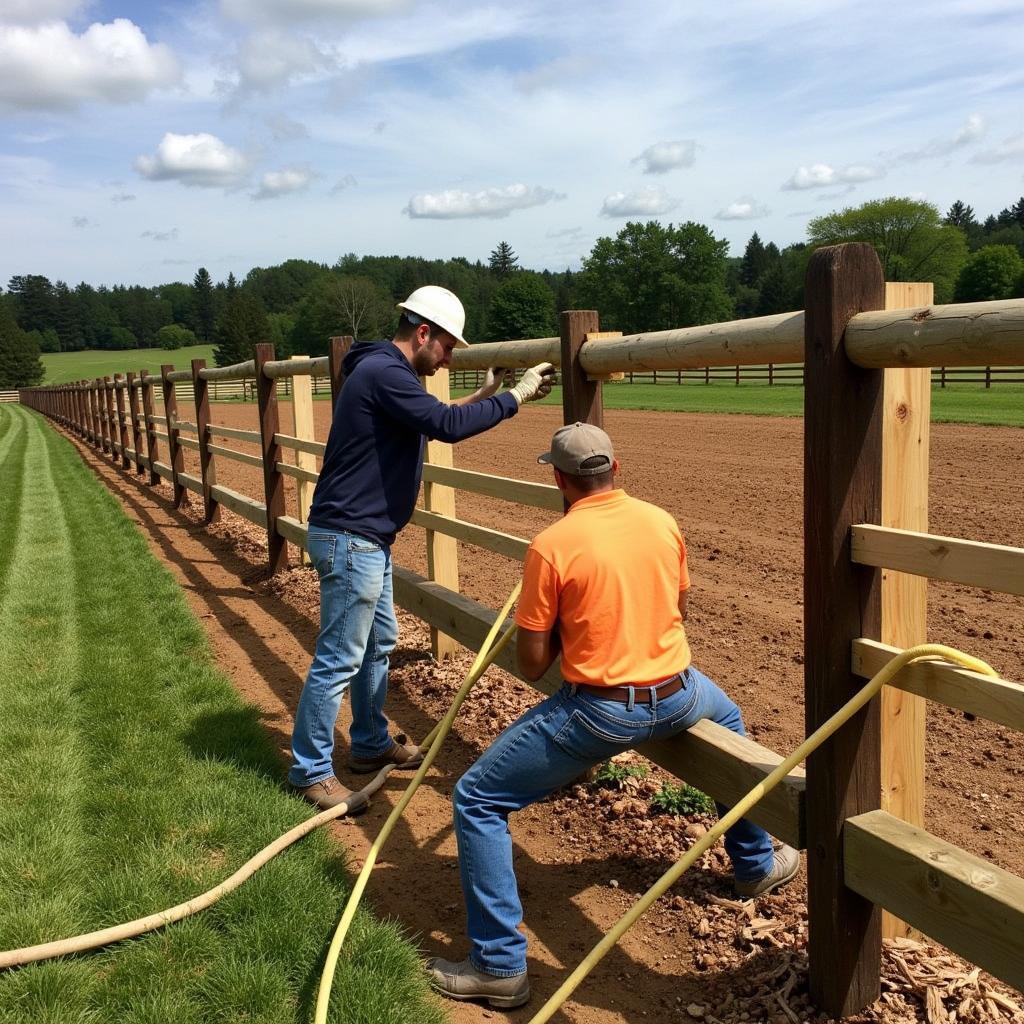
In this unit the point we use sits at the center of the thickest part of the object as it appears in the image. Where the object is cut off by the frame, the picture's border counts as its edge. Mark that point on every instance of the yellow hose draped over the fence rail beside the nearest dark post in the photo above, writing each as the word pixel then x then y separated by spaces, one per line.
pixel 708 841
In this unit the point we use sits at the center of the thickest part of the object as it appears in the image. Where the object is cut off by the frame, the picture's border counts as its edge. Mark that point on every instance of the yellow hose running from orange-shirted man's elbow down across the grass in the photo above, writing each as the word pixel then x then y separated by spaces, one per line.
pixel 435 739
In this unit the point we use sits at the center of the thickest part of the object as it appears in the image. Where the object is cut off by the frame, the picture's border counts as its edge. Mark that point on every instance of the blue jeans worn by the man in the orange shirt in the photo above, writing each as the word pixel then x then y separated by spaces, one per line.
pixel 549 747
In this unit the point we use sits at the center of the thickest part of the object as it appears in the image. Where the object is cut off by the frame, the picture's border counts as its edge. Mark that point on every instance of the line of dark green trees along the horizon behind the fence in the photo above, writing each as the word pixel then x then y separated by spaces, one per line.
pixel 649 277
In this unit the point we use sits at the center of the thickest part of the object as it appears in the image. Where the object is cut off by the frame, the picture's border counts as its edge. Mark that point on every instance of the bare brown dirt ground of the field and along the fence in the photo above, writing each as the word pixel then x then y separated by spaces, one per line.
pixel 735 485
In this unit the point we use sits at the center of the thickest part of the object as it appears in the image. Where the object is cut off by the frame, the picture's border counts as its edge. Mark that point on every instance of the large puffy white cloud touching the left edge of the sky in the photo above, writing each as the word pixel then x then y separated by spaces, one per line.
pixel 52 67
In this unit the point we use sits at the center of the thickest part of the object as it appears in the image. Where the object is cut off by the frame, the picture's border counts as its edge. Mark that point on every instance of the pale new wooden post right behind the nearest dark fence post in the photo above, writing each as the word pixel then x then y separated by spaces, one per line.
pixel 906 437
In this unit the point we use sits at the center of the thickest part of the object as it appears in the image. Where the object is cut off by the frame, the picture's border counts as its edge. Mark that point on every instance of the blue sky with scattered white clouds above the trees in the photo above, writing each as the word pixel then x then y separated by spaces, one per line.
pixel 140 142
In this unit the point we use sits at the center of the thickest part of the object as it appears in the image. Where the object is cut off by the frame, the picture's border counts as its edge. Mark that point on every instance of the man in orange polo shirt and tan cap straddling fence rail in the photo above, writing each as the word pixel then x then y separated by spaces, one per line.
pixel 606 587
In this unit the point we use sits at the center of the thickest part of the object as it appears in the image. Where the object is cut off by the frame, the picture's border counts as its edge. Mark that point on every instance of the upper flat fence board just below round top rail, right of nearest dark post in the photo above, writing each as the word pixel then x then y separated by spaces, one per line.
pixel 991 567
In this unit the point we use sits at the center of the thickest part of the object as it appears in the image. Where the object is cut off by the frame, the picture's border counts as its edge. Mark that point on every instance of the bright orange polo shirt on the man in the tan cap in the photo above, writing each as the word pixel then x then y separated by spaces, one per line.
pixel 610 574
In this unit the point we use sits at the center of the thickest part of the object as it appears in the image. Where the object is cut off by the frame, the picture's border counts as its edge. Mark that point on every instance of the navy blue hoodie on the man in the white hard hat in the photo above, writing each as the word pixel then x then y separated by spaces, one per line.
pixel 374 458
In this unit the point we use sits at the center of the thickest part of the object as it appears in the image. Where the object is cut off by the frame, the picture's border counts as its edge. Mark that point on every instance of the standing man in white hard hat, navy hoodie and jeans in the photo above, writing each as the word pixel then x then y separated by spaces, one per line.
pixel 366 494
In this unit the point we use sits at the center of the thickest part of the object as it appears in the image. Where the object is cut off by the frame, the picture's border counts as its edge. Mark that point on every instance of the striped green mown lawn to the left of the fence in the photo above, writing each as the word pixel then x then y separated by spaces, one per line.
pixel 135 778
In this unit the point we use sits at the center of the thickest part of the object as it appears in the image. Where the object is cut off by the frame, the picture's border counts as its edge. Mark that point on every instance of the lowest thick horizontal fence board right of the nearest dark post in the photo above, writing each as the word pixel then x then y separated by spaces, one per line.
pixel 974 908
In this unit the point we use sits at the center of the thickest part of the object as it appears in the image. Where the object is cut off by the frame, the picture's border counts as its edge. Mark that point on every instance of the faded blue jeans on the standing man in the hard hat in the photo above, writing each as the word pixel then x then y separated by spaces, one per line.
pixel 359 631
